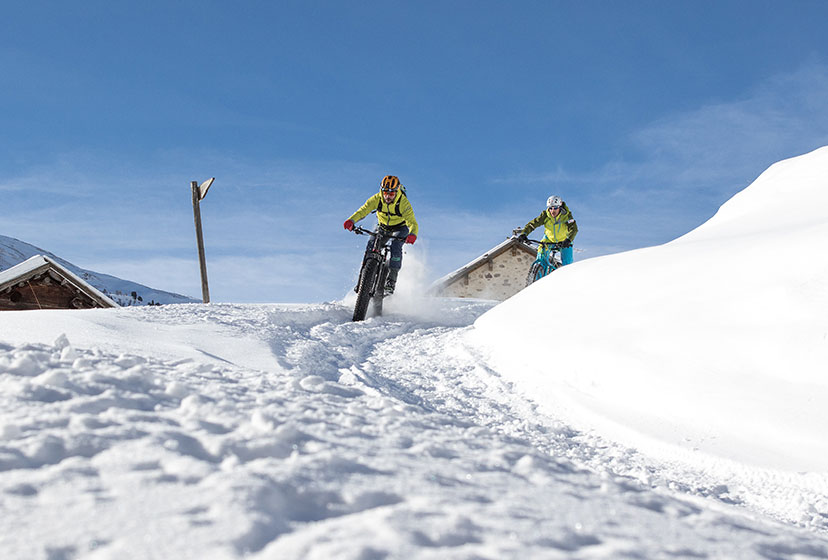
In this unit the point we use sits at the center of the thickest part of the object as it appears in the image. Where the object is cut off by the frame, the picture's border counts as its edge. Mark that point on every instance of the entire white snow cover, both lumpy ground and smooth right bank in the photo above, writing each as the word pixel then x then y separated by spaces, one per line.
pixel 666 402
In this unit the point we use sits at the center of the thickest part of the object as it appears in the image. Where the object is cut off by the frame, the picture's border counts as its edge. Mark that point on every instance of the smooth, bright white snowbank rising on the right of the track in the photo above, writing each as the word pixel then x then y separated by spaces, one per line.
pixel 710 349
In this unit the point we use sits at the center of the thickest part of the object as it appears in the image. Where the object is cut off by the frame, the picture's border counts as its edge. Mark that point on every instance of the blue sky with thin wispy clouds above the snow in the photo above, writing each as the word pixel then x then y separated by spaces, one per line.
pixel 644 116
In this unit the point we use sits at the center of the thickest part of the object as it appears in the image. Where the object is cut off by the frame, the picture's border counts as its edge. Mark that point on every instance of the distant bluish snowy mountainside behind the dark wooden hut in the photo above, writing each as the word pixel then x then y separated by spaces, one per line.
pixel 13 251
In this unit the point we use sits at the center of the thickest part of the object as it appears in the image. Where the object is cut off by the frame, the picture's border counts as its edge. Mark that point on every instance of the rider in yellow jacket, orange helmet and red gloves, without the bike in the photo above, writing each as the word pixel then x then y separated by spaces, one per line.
pixel 394 211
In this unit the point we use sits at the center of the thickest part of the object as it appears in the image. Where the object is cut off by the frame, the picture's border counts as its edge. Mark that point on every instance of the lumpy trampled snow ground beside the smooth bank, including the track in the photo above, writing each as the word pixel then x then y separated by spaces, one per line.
pixel 287 431
